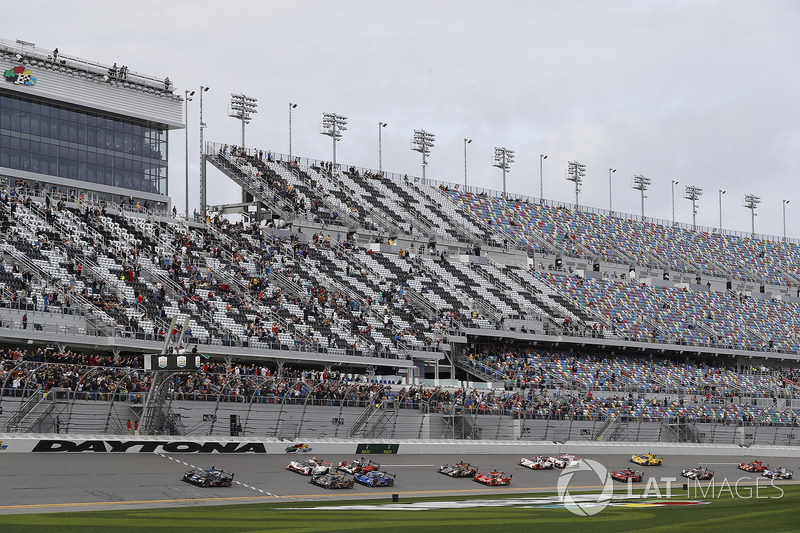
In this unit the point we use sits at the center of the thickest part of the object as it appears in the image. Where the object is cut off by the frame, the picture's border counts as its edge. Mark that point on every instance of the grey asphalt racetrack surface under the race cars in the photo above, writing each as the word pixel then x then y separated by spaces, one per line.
pixel 58 482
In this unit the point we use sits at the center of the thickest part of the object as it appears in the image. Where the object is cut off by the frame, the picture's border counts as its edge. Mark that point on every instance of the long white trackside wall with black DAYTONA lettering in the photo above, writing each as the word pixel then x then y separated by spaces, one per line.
pixel 66 444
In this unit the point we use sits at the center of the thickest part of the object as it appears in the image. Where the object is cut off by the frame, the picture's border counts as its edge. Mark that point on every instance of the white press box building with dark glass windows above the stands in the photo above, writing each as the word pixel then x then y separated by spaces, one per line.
pixel 79 127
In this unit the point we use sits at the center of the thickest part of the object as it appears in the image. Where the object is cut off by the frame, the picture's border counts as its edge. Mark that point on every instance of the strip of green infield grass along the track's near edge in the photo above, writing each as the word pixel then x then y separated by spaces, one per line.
pixel 724 513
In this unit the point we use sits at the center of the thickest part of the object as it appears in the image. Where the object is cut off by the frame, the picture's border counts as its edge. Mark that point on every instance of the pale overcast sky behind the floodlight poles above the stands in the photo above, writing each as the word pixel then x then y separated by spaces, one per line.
pixel 703 92
